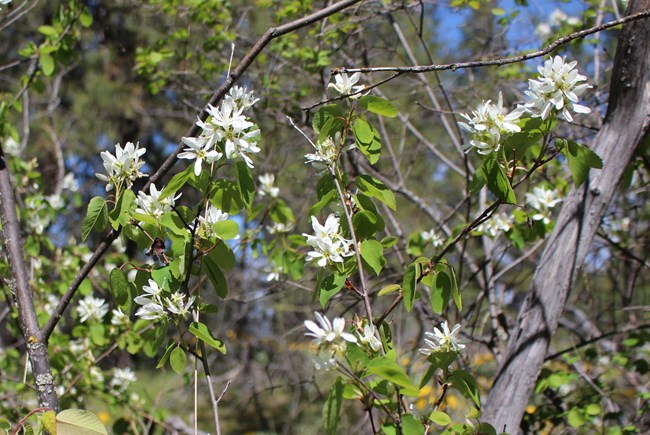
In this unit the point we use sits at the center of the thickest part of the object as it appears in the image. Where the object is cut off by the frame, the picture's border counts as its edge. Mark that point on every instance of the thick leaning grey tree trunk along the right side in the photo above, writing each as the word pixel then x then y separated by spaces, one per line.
pixel 626 125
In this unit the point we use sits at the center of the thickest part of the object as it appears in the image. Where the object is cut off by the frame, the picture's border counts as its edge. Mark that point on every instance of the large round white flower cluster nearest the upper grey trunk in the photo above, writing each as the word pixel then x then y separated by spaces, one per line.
pixel 556 88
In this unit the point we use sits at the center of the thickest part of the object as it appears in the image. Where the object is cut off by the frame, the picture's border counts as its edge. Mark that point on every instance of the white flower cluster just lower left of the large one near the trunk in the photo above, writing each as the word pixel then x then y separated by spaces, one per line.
pixel 489 124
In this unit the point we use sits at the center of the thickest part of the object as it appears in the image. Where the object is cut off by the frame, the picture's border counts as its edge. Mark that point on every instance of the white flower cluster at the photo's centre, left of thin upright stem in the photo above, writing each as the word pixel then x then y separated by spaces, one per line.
pixel 329 245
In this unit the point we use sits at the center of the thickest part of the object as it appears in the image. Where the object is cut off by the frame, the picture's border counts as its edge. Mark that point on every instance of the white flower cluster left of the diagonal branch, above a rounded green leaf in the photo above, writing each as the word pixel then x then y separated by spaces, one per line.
pixel 123 167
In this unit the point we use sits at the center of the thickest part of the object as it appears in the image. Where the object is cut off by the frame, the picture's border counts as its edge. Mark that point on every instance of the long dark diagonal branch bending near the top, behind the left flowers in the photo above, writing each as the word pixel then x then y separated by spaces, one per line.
pixel 269 35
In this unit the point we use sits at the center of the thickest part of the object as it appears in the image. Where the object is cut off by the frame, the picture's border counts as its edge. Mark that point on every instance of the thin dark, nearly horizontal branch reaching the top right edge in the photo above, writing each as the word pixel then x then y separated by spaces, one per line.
pixel 501 61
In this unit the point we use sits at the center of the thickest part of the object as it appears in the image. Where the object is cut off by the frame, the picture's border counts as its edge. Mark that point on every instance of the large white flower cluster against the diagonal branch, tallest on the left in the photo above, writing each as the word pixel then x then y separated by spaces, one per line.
pixel 227 131
